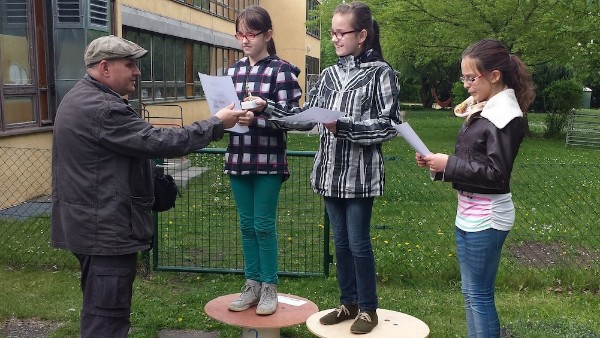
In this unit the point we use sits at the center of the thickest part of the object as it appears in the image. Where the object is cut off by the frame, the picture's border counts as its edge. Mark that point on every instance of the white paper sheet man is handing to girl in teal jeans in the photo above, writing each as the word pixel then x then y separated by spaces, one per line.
pixel 220 93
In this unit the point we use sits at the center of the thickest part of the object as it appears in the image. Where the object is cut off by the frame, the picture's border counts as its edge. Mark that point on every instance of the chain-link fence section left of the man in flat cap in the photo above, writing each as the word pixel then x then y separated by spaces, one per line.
pixel 25 206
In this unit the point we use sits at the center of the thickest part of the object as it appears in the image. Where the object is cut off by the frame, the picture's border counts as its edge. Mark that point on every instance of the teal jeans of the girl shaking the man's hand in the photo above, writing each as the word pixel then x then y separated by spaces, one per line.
pixel 256 197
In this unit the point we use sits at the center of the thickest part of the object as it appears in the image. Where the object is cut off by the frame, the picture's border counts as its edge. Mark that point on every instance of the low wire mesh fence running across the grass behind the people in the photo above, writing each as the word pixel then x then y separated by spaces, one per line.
pixel 557 205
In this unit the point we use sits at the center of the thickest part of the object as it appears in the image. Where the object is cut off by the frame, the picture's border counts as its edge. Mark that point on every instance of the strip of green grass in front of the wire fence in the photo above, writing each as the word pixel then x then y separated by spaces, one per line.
pixel 176 300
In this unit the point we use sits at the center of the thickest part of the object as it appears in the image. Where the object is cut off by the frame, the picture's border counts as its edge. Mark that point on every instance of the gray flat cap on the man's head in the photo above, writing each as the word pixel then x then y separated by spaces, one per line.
pixel 111 47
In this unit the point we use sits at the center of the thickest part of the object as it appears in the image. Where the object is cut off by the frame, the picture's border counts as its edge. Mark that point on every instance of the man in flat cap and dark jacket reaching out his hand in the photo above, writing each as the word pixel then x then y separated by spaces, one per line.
pixel 102 179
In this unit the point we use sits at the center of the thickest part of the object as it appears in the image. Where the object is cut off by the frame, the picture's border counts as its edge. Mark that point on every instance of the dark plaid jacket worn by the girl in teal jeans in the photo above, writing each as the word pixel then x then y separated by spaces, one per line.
pixel 262 150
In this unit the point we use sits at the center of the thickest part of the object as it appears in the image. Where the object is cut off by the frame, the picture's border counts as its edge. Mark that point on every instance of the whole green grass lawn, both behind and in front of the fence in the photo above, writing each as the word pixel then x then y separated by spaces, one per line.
pixel 556 193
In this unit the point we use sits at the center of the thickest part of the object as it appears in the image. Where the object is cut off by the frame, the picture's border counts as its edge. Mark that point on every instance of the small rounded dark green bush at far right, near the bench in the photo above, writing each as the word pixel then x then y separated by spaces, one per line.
pixel 561 96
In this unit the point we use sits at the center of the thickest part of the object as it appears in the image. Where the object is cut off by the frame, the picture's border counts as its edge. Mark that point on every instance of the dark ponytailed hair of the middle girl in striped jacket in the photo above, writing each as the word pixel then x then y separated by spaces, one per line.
pixel 362 19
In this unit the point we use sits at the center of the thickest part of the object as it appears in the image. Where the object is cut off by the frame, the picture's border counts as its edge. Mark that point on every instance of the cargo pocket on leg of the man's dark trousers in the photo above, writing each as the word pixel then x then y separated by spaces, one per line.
pixel 112 288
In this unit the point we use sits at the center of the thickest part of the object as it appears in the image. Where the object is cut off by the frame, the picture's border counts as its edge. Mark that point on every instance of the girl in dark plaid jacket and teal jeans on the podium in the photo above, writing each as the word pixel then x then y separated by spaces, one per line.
pixel 256 161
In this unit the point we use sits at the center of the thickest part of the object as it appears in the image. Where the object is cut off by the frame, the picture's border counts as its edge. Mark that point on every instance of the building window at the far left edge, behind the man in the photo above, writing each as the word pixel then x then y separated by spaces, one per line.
pixel 24 101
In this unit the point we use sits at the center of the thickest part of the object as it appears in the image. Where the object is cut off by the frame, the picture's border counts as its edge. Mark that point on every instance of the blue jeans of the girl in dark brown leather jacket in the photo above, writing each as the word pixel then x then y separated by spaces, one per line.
pixel 478 258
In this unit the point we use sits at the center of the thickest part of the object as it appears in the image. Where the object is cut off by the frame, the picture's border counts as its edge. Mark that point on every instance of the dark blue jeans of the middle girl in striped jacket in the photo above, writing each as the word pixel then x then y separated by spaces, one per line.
pixel 350 220
